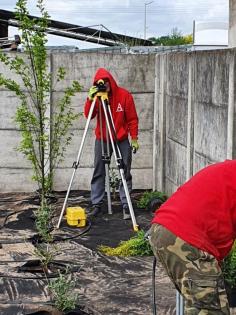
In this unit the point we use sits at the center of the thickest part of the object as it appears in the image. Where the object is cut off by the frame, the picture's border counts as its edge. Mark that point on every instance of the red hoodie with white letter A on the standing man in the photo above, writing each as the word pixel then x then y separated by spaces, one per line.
pixel 122 108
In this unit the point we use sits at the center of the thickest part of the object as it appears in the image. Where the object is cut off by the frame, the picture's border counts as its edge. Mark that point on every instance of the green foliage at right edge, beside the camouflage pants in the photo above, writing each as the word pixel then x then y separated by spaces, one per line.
pixel 229 268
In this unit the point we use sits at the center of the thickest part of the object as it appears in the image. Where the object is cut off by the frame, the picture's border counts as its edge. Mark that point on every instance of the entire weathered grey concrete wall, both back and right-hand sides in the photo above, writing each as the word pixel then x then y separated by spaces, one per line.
pixel 187 129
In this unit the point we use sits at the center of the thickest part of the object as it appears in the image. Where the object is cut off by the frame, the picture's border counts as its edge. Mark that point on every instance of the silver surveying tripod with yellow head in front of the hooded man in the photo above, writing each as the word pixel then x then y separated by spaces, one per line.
pixel 111 135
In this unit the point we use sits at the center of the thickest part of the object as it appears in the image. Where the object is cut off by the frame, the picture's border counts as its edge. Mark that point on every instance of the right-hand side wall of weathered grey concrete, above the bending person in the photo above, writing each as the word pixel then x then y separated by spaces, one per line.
pixel 192 127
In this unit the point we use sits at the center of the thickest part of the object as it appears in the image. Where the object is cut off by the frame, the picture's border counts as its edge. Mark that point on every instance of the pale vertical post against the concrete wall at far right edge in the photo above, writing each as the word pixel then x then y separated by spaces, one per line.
pixel 231 109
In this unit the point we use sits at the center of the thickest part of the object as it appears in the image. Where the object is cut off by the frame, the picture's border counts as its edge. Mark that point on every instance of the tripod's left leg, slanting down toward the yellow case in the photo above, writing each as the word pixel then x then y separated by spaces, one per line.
pixel 76 164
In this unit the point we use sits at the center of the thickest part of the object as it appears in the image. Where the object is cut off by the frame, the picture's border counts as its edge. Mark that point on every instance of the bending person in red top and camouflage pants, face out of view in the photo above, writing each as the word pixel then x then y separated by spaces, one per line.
pixel 193 231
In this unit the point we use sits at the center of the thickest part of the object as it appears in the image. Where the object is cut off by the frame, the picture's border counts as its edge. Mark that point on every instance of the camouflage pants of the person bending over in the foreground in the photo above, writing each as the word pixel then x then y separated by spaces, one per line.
pixel 195 273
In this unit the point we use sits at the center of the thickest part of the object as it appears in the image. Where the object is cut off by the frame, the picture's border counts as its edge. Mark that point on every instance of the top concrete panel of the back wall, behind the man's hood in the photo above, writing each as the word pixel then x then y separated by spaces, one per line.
pixel 132 72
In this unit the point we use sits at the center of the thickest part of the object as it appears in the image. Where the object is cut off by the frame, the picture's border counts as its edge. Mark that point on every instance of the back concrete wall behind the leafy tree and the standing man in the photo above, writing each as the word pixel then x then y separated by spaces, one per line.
pixel 134 72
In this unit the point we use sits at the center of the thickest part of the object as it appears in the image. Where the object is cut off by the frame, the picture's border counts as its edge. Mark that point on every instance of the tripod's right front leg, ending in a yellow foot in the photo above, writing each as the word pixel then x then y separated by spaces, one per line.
pixel 110 125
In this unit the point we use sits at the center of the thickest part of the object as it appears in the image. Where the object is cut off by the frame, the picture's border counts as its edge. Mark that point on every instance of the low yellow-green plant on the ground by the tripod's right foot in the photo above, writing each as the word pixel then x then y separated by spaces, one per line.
pixel 135 246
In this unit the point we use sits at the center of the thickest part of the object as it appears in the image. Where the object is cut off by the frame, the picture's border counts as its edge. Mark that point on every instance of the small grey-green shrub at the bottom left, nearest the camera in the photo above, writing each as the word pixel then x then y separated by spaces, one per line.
pixel 62 290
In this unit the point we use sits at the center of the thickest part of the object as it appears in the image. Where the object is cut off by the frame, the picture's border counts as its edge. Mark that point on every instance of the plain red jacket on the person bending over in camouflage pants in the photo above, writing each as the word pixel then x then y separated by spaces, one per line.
pixel 202 212
